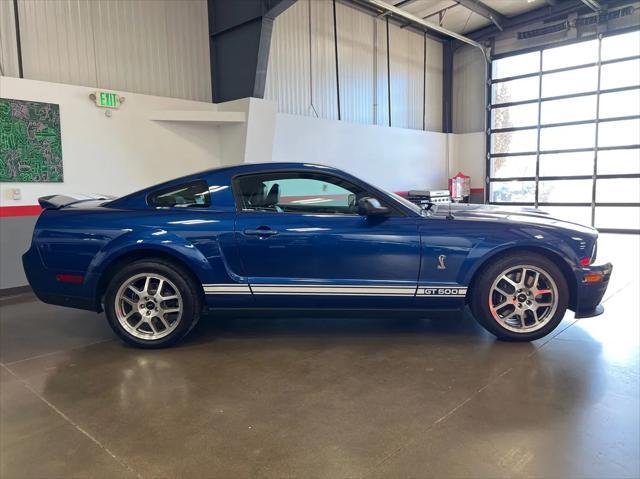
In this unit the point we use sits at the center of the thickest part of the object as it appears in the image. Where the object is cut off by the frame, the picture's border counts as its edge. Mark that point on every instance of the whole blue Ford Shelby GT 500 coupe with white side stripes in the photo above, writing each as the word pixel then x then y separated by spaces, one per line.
pixel 301 236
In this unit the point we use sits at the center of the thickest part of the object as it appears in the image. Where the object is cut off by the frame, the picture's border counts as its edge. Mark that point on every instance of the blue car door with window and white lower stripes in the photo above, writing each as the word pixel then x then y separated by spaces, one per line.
pixel 302 243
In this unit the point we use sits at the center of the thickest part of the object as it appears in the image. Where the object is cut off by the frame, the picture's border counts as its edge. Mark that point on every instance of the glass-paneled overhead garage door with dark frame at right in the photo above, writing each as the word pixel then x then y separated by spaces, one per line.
pixel 565 131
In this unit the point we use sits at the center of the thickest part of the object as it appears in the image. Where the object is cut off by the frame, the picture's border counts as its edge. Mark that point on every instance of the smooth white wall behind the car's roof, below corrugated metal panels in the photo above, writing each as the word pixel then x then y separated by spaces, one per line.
pixel 397 159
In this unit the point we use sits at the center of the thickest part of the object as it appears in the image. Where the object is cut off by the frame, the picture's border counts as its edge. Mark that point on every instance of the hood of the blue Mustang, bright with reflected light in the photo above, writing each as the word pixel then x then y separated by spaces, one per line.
pixel 526 215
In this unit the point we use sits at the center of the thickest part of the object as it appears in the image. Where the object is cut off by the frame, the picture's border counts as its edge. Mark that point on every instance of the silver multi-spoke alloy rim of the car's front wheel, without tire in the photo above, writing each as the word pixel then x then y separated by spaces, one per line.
pixel 523 298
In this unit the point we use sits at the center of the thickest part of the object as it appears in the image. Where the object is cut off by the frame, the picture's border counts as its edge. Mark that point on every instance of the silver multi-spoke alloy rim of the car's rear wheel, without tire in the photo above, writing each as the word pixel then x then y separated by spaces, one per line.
pixel 148 306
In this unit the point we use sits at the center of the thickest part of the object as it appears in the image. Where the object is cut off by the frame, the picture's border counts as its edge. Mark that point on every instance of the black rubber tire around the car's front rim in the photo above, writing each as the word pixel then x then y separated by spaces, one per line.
pixel 482 286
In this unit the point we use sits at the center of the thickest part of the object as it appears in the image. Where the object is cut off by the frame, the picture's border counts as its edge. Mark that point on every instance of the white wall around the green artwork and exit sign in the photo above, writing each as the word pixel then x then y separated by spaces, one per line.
pixel 120 154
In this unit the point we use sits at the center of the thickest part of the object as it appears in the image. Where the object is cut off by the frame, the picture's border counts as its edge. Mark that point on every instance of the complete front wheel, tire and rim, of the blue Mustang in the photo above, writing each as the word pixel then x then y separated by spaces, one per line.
pixel 520 297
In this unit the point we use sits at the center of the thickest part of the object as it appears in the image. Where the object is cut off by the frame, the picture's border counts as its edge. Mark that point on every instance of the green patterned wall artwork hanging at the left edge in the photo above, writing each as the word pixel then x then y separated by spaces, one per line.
pixel 30 142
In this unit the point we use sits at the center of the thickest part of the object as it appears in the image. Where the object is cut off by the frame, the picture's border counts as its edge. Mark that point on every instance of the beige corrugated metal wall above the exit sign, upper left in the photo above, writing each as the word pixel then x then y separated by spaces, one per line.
pixel 158 47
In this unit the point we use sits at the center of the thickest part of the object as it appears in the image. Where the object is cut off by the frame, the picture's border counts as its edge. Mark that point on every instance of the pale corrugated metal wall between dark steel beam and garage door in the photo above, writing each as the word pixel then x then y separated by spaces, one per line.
pixel 302 68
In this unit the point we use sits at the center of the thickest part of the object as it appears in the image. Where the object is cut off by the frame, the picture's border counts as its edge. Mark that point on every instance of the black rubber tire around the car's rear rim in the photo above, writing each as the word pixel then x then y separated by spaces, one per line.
pixel 189 293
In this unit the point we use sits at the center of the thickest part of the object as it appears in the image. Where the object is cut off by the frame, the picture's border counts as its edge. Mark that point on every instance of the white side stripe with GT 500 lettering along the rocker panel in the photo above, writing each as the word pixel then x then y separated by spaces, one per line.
pixel 431 291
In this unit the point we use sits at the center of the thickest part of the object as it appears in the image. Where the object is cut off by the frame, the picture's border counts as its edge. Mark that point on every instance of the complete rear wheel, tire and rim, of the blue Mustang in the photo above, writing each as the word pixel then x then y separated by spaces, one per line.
pixel 152 303
